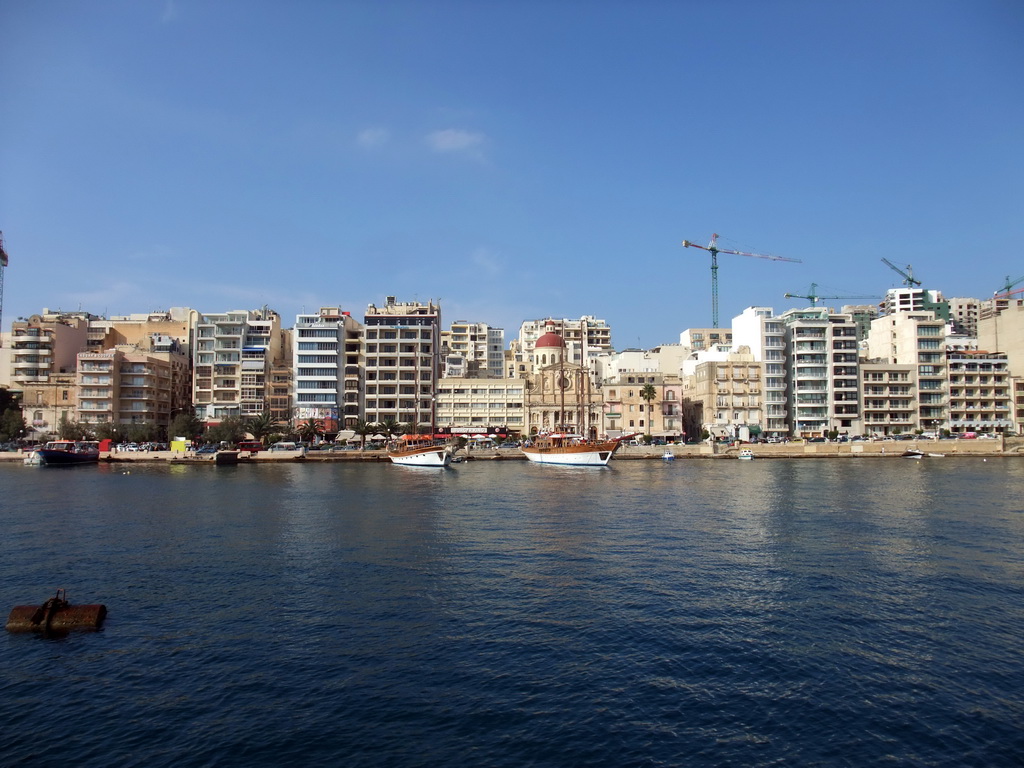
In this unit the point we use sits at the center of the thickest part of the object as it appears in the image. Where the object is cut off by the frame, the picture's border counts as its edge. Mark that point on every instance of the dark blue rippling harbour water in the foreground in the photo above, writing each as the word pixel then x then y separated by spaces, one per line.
pixel 697 613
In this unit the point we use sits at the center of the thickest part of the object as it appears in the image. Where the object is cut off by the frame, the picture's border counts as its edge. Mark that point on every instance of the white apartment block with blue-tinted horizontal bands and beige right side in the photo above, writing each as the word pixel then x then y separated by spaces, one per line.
pixel 326 373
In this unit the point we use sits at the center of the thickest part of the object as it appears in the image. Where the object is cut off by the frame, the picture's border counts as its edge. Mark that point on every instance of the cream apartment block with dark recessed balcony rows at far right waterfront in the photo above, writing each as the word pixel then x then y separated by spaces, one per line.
pixel 980 393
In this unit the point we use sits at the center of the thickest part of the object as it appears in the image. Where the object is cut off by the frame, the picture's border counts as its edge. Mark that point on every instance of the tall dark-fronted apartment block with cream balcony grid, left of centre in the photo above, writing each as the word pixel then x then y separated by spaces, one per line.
pixel 402 354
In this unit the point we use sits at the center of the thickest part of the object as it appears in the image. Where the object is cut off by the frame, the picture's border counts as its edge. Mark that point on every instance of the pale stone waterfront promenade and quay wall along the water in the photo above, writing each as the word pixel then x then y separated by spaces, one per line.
pixel 1006 448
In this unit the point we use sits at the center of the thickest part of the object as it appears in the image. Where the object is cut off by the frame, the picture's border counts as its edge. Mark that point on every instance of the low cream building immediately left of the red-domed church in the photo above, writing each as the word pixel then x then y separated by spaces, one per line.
pixel 476 406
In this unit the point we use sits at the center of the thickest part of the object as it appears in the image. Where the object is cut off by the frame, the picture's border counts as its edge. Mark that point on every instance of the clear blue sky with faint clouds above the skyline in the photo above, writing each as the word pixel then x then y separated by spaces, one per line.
pixel 513 160
